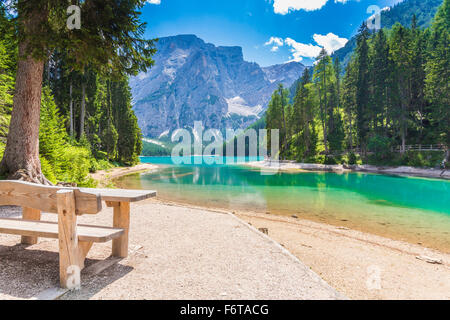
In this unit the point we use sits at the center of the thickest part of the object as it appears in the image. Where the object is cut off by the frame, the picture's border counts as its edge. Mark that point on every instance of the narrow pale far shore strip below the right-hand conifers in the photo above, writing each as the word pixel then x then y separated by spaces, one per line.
pixel 403 171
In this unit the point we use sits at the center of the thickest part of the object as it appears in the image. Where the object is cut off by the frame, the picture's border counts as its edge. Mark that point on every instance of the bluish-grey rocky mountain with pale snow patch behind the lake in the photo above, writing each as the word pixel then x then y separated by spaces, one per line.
pixel 197 81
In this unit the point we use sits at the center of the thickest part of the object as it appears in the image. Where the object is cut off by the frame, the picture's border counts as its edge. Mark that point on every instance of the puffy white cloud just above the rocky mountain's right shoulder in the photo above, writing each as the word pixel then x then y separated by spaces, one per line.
pixel 330 42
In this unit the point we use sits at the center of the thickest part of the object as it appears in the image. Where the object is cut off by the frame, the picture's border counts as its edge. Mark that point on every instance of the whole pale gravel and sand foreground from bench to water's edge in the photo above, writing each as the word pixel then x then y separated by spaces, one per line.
pixel 186 252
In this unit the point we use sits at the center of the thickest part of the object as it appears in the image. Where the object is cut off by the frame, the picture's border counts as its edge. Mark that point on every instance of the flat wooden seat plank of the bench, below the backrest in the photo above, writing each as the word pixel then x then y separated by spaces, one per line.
pixel 47 229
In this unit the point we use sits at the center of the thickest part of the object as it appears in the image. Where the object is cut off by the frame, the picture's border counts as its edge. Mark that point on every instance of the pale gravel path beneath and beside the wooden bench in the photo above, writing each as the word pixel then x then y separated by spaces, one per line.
pixel 176 253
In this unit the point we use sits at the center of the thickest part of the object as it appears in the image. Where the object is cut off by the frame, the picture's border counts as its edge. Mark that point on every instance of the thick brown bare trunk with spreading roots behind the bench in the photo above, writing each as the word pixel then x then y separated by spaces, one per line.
pixel 21 157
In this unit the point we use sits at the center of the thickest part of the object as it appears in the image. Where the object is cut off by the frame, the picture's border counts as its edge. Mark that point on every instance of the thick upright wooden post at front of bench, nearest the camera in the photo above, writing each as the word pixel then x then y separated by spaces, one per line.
pixel 69 250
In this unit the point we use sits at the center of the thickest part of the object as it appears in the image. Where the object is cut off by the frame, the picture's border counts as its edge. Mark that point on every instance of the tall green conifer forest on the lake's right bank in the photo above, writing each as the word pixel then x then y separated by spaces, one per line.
pixel 395 92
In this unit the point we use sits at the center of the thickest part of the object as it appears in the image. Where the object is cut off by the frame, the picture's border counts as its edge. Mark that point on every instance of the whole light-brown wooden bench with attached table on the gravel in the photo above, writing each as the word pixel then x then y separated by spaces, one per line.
pixel 75 240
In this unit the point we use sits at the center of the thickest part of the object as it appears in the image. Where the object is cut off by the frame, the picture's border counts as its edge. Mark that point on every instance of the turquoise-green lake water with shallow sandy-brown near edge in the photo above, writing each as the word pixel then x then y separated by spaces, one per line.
pixel 411 209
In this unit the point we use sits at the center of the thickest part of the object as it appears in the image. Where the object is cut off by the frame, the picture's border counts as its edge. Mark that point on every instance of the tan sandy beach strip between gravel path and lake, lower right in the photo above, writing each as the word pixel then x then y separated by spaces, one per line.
pixel 352 261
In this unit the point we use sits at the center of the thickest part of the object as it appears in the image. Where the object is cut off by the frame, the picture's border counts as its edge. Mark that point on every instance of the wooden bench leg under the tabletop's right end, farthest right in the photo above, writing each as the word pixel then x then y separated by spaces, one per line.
pixel 121 220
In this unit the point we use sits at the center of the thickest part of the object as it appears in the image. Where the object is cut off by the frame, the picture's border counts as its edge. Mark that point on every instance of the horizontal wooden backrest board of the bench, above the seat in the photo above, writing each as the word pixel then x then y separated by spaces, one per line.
pixel 43 198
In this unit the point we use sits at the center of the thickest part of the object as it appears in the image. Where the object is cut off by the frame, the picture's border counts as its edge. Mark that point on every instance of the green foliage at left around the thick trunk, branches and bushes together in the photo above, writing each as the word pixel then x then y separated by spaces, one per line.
pixel 86 114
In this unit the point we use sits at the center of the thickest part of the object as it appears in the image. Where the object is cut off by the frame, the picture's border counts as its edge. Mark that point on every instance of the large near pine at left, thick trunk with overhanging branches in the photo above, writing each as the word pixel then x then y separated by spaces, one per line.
pixel 107 26
